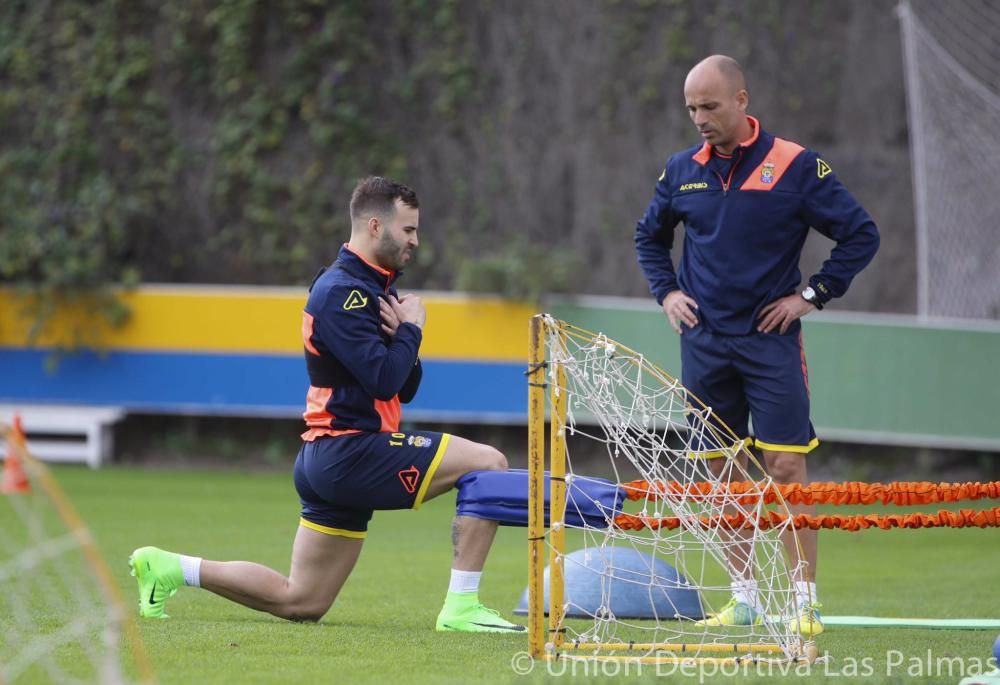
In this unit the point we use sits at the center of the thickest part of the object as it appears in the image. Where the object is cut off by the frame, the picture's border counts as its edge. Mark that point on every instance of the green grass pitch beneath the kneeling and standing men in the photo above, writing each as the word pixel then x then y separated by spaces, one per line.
pixel 381 628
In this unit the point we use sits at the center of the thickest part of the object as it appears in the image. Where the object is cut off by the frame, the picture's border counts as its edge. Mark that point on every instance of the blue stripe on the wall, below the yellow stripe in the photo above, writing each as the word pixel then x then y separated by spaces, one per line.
pixel 269 385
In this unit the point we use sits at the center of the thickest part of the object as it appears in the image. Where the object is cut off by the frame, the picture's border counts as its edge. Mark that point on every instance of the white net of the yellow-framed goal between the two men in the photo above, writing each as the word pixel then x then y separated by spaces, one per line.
pixel 627 420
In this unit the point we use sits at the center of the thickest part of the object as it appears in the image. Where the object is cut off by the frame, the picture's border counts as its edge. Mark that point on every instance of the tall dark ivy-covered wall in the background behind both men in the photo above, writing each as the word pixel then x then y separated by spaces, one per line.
pixel 196 141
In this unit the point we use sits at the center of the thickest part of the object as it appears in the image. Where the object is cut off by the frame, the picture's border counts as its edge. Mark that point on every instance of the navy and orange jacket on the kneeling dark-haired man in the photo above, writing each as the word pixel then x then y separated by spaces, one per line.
pixel 358 374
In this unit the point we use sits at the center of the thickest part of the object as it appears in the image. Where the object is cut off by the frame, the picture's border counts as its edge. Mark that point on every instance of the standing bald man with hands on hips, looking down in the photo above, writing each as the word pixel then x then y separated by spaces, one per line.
pixel 747 200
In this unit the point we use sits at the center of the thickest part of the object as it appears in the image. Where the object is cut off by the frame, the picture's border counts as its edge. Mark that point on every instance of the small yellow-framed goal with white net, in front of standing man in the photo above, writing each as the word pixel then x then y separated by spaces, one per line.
pixel 615 417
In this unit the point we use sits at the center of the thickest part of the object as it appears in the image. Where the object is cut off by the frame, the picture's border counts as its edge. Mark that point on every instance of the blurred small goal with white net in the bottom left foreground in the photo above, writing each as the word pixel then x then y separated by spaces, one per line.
pixel 61 620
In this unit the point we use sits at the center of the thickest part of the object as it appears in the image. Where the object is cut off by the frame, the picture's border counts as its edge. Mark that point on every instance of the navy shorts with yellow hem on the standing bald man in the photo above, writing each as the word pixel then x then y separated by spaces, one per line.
pixel 759 376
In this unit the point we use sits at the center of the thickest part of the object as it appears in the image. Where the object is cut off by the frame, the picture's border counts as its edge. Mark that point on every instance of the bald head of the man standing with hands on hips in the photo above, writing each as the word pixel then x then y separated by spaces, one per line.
pixel 716 97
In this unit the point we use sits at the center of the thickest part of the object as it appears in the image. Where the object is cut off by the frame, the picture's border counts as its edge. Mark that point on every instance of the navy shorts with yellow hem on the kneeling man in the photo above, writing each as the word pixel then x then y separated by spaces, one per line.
pixel 343 480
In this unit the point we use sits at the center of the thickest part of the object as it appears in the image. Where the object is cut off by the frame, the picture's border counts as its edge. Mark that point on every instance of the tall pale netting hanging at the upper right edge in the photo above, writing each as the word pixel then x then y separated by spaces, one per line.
pixel 952 66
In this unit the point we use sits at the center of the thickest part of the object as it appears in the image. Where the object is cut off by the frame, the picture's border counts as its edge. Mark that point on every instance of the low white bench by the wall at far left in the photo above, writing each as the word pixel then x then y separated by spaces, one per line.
pixel 67 433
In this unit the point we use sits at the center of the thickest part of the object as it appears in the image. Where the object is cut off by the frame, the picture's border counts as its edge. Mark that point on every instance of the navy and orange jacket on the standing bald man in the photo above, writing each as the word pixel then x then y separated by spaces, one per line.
pixel 745 222
